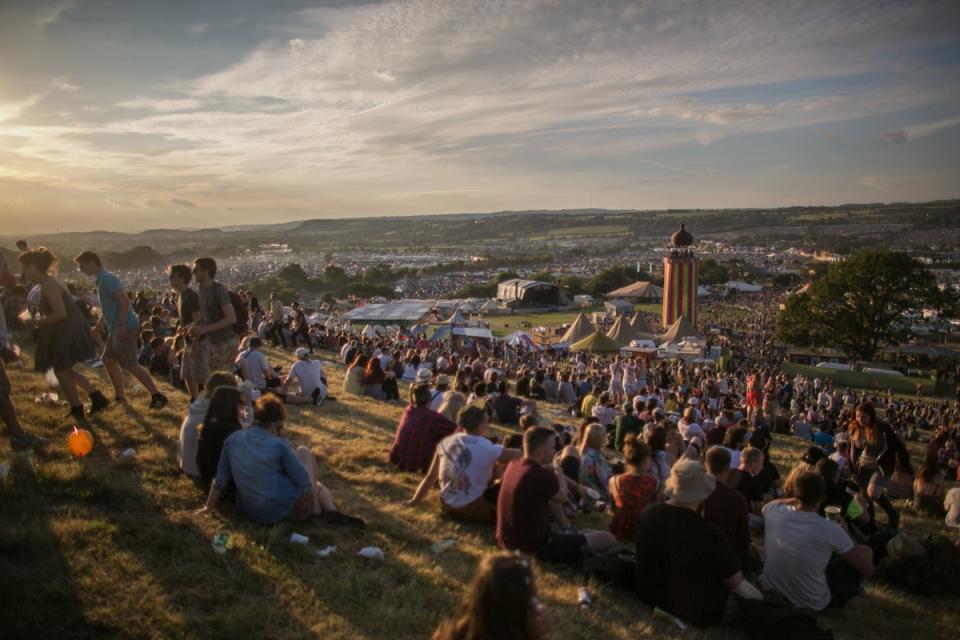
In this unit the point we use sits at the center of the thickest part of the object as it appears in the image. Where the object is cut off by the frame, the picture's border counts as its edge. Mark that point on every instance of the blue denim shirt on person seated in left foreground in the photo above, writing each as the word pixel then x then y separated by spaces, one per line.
pixel 268 477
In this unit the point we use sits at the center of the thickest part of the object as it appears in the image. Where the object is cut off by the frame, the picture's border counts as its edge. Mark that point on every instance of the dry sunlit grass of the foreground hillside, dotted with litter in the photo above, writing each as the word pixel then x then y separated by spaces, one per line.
pixel 101 549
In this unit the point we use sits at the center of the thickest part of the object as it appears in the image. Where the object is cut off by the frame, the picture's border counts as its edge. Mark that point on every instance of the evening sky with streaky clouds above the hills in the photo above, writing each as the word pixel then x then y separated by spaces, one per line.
pixel 180 114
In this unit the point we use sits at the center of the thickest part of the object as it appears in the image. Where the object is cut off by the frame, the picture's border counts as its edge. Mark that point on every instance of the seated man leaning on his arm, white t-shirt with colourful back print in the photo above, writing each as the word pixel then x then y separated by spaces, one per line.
pixel 463 465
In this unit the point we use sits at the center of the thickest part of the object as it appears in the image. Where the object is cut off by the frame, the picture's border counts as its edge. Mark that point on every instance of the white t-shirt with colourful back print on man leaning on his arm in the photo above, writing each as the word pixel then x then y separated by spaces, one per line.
pixel 466 466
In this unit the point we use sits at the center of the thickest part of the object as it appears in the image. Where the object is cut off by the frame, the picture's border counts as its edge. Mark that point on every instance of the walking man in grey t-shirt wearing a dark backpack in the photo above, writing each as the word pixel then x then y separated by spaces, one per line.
pixel 217 316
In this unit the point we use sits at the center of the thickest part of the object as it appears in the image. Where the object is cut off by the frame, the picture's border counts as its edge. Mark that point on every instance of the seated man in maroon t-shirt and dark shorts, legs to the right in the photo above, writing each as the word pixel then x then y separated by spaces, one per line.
pixel 530 493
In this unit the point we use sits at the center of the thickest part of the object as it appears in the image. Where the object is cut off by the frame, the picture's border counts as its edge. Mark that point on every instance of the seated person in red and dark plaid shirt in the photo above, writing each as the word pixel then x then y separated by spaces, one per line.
pixel 418 433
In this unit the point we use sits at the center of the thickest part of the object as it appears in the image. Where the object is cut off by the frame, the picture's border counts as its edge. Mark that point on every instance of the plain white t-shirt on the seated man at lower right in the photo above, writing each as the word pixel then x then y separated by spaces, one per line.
pixel 798 545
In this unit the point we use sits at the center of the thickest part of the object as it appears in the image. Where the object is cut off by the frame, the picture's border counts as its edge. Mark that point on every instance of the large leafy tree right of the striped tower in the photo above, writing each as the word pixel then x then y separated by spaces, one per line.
pixel 858 304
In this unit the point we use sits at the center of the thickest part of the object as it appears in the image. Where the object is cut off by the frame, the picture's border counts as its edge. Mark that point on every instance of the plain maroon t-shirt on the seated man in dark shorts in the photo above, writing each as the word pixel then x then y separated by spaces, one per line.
pixel 523 513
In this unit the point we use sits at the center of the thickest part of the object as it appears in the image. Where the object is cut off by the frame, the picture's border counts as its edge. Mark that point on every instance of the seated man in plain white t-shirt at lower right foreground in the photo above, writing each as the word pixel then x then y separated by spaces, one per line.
pixel 809 560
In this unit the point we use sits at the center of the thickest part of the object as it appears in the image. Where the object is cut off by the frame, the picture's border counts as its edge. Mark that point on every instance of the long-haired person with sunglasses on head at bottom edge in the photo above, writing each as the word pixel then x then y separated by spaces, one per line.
pixel 501 602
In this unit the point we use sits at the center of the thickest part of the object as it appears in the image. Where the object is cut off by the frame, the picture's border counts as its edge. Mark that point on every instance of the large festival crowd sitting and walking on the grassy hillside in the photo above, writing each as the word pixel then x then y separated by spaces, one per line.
pixel 679 454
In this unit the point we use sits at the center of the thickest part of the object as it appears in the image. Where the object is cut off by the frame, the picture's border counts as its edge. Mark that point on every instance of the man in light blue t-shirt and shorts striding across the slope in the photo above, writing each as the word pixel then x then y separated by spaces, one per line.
pixel 121 323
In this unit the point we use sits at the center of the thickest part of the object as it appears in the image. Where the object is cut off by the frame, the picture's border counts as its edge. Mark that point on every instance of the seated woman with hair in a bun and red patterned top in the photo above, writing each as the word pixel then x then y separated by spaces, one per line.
pixel 633 490
